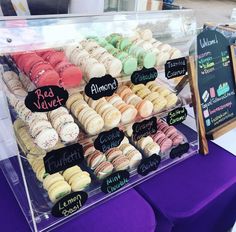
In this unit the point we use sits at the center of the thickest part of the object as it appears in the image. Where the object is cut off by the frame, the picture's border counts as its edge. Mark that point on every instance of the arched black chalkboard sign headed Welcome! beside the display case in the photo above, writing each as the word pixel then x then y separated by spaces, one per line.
pixel 215 79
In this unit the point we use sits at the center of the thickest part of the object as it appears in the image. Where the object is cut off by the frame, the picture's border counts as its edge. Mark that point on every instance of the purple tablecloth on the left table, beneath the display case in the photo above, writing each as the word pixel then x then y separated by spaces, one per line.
pixel 128 212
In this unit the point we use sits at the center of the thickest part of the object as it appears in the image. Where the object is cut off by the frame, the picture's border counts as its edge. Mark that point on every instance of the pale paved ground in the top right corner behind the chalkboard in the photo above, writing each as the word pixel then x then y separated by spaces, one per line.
pixel 210 10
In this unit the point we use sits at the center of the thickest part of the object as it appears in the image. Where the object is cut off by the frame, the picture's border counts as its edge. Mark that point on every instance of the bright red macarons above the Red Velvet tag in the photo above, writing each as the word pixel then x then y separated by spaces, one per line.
pixel 48 67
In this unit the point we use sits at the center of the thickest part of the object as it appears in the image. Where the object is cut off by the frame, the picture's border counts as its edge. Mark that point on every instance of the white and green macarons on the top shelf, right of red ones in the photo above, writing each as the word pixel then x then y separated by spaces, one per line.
pixel 118 55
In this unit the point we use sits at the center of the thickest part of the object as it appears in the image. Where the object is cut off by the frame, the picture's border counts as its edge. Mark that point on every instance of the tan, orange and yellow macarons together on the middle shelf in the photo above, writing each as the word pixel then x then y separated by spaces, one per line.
pixel 122 107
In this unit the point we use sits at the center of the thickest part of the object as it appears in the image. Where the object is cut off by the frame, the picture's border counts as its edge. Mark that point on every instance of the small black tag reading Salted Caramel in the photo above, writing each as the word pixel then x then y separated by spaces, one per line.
pixel 176 116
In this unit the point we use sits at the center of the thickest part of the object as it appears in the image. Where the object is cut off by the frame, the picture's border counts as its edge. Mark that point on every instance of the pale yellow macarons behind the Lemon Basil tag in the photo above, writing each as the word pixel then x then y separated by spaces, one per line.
pixel 60 184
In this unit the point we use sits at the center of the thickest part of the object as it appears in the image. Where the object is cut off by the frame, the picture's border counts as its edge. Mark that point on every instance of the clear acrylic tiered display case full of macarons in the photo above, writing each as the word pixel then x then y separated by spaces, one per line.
pixel 77 124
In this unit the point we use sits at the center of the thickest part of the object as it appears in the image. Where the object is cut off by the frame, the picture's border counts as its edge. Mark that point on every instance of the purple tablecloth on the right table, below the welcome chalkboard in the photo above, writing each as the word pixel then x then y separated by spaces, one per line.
pixel 198 194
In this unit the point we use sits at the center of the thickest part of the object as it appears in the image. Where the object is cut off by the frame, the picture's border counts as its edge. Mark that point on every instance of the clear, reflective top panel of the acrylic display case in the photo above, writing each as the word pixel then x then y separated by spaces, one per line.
pixel 38 32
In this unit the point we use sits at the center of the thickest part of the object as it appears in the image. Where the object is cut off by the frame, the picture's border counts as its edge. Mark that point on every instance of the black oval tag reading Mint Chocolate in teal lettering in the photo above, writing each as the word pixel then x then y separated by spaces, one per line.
pixel 115 181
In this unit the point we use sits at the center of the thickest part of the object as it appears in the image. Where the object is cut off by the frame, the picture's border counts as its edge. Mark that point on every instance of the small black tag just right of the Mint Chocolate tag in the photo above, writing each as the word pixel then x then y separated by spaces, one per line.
pixel 148 165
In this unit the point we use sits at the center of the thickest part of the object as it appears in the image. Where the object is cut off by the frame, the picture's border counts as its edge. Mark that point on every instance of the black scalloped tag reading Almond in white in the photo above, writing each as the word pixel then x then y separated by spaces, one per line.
pixel 99 87
